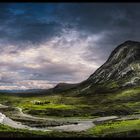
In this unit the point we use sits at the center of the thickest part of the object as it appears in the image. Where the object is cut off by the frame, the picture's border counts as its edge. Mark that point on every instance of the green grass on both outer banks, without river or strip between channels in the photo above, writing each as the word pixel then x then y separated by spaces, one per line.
pixel 122 102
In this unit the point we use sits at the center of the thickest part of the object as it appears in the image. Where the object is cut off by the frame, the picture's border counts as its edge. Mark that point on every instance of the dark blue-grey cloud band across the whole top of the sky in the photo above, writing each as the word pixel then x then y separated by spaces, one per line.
pixel 38 22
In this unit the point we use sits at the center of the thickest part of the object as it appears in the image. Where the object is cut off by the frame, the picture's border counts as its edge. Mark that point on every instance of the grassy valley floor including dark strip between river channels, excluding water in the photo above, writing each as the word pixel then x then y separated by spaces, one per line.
pixel 122 103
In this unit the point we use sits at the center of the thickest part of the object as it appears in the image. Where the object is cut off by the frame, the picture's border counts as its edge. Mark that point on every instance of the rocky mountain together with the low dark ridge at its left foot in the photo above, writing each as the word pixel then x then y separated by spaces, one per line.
pixel 121 70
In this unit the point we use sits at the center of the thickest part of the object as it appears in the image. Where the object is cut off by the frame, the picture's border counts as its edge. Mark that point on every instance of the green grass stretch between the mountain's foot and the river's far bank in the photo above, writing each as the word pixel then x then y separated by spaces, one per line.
pixel 117 103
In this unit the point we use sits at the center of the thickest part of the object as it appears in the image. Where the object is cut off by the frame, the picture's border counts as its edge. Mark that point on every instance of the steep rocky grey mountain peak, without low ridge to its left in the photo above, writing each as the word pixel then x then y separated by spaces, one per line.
pixel 122 69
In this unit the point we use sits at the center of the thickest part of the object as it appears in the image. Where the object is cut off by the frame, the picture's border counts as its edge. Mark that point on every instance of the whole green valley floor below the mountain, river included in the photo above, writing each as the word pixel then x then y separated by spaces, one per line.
pixel 50 113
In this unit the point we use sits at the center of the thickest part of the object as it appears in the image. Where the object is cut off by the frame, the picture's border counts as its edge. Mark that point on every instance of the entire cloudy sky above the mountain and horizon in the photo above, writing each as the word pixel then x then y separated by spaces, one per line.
pixel 42 44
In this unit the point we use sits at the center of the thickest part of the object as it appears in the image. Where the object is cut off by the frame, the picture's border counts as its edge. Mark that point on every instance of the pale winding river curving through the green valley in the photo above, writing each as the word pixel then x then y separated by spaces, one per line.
pixel 81 125
